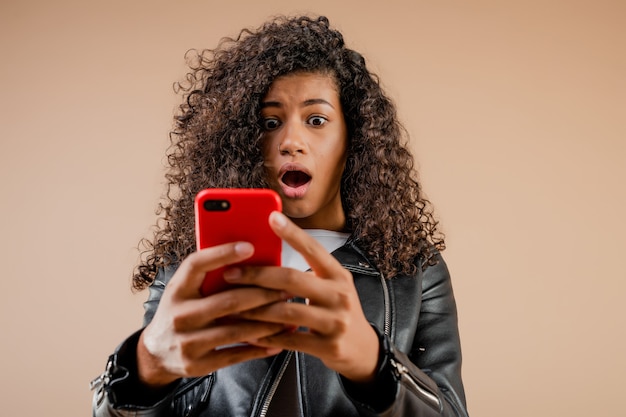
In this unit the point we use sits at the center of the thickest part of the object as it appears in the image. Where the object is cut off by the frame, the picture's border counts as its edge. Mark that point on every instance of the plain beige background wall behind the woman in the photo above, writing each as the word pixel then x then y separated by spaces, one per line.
pixel 517 112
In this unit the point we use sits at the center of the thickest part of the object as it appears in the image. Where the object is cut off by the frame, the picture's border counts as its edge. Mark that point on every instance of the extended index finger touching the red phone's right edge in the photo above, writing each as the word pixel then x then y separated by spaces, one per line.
pixel 320 261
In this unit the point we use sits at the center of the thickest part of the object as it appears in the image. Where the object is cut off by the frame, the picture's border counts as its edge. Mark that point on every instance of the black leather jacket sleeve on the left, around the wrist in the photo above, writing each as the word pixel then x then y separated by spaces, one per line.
pixel 118 392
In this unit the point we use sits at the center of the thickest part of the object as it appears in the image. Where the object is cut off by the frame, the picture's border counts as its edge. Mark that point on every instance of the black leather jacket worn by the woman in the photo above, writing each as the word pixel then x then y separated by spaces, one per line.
pixel 419 368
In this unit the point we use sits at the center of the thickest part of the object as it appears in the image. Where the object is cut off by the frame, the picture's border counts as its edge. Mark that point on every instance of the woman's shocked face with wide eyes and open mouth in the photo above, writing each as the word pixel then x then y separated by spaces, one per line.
pixel 304 148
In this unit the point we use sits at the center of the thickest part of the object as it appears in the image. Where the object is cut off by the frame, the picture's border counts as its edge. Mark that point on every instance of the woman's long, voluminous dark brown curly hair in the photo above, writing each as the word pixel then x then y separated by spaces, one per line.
pixel 216 142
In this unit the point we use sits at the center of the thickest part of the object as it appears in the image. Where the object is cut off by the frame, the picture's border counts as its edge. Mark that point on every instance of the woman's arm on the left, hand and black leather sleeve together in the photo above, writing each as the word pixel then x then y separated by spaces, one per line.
pixel 183 337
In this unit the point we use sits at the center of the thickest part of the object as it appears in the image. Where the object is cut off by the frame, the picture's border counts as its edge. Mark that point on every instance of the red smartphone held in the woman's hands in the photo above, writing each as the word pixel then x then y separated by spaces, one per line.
pixel 224 215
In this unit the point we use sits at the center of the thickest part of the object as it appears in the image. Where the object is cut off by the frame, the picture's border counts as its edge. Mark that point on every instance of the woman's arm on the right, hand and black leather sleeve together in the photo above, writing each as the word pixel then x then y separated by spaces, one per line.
pixel 381 380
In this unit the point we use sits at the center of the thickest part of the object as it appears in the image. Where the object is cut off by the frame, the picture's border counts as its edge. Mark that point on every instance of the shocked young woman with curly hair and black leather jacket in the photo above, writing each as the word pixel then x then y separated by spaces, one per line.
pixel 291 108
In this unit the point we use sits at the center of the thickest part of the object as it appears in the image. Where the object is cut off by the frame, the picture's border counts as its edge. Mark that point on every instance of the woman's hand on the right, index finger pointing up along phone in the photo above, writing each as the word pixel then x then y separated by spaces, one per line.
pixel 338 332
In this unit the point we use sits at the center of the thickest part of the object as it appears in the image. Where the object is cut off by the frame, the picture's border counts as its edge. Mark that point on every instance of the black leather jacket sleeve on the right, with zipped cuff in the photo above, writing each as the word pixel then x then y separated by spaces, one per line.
pixel 426 382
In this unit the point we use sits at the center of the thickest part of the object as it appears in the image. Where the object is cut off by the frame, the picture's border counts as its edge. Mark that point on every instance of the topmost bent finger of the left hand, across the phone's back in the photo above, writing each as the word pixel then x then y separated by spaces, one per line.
pixel 188 278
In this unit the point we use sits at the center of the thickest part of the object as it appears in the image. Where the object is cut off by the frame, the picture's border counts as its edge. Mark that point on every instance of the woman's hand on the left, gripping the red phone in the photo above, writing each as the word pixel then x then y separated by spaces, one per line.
pixel 191 335
